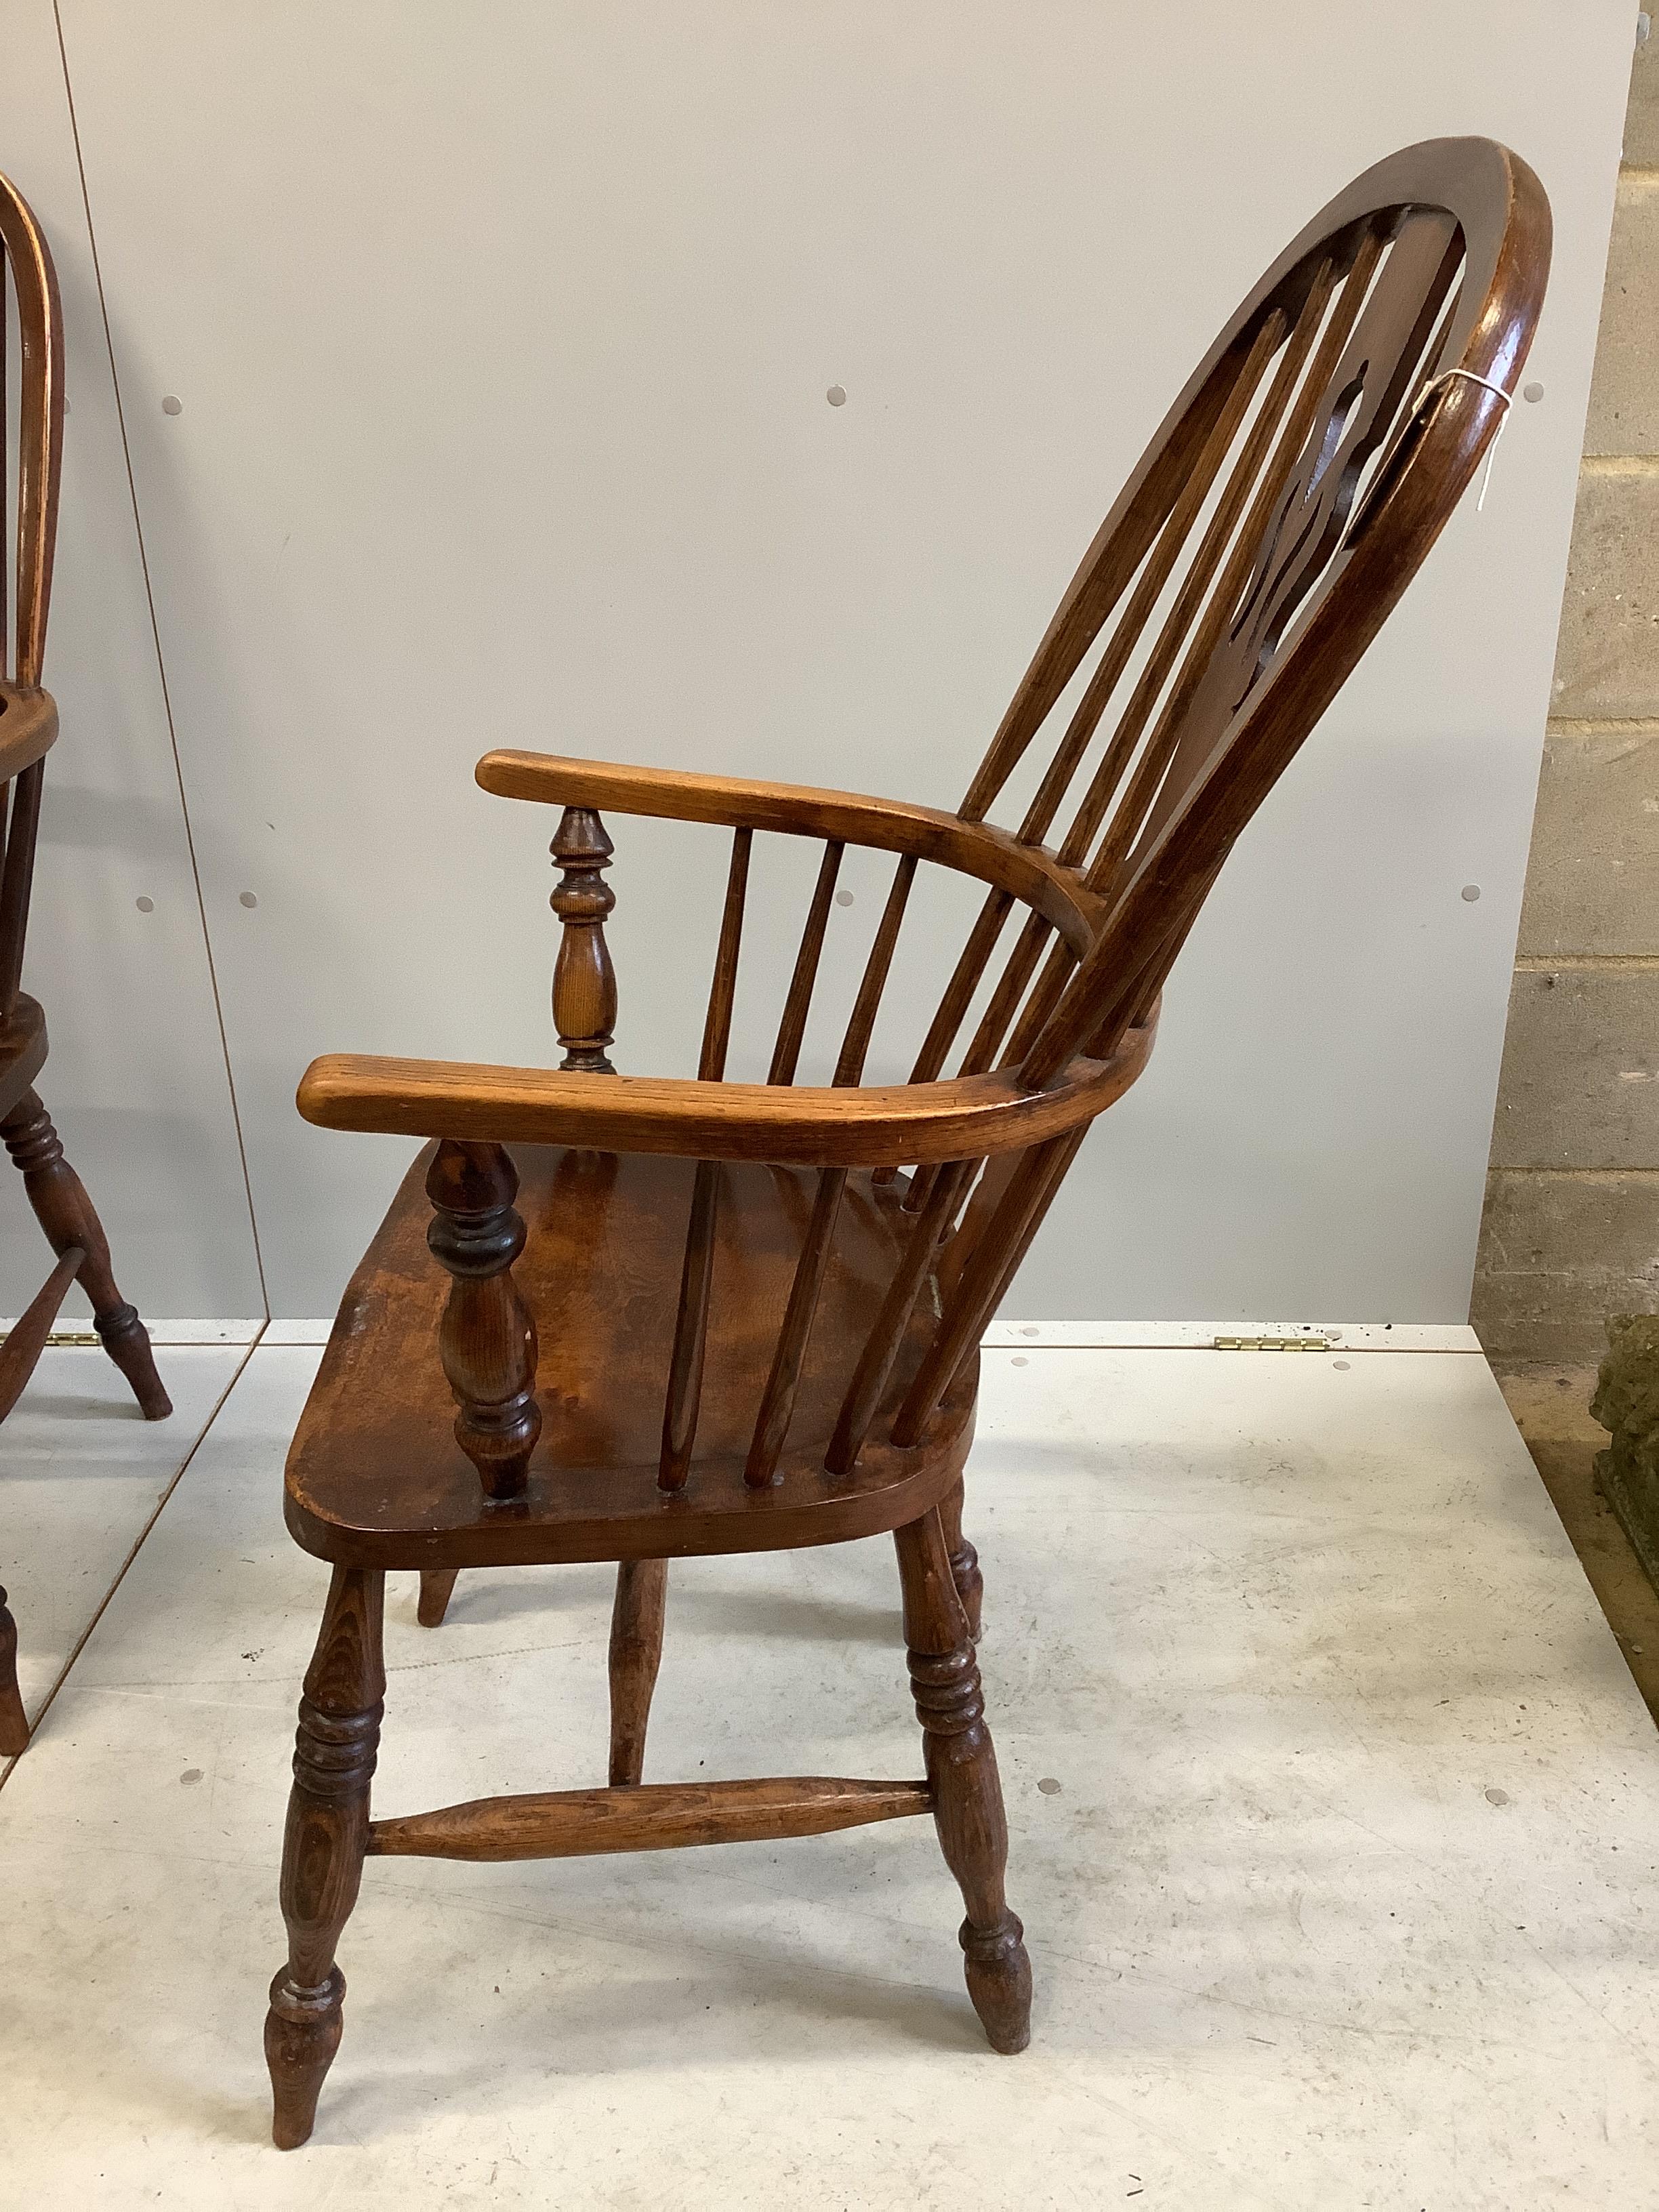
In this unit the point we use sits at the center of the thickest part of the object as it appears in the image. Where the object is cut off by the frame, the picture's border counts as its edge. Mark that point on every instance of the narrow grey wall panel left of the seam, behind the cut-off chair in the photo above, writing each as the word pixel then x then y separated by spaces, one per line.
pixel 136 1076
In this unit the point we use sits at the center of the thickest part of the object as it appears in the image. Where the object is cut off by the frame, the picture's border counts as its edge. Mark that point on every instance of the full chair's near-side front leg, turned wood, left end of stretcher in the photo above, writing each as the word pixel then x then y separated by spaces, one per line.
pixel 328 1830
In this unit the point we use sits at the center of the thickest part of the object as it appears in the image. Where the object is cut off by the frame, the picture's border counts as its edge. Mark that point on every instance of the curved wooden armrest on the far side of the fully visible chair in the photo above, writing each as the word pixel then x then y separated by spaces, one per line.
pixel 1030 873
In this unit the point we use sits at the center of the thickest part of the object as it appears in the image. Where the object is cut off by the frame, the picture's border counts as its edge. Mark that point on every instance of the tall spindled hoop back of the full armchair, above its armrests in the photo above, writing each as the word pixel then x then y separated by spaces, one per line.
pixel 1273 523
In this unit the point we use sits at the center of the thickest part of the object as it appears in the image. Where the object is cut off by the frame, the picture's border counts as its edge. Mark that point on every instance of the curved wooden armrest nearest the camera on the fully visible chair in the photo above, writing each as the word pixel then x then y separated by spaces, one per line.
pixel 884 1127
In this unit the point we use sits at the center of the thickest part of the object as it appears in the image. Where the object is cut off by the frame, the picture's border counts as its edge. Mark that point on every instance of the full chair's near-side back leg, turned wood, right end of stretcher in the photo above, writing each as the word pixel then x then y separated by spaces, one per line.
pixel 963 1773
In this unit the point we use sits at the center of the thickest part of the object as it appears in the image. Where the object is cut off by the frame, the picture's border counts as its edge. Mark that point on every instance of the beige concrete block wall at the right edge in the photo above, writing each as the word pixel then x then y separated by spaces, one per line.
pixel 1572 1229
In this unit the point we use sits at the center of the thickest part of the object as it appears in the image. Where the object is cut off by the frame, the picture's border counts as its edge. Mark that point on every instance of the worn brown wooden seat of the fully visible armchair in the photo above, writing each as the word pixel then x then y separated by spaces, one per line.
pixel 377 1479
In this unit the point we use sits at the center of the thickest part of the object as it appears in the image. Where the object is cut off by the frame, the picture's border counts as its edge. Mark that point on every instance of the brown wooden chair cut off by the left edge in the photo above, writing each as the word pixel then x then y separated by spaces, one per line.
pixel 28 733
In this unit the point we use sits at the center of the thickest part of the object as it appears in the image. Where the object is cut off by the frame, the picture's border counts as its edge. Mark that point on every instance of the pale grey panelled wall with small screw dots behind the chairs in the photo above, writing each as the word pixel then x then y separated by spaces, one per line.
pixel 503 337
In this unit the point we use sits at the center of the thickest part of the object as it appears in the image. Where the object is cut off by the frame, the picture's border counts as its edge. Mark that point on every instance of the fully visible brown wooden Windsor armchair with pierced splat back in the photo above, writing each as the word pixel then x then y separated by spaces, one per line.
pixel 711 1317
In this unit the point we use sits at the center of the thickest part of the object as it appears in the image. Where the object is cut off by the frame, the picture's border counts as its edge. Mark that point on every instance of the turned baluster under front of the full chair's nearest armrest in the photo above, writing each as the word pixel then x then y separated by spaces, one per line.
pixel 488 1337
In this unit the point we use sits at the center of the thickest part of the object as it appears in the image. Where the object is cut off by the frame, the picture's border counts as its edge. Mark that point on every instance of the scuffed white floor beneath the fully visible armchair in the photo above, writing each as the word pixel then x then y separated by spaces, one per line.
pixel 1339 1899
